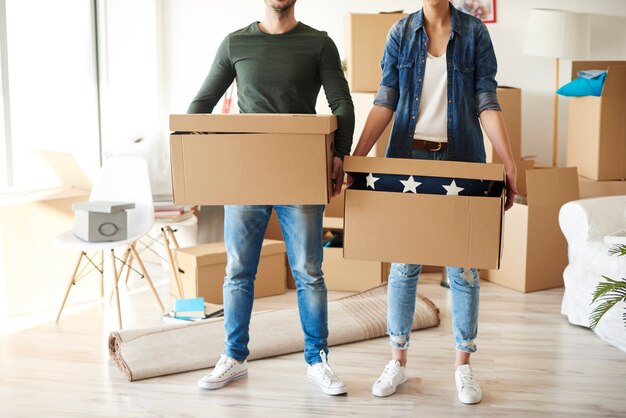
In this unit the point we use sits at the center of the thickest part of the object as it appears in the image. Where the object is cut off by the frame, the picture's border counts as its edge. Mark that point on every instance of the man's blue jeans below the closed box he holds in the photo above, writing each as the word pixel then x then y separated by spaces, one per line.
pixel 244 229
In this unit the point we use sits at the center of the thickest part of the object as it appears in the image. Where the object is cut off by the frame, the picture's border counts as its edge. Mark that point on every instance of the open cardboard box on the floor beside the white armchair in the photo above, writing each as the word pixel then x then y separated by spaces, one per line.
pixel 535 250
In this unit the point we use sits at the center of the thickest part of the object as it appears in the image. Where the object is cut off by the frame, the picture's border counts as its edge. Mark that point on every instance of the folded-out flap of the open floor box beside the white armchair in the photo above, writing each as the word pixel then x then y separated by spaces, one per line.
pixel 552 186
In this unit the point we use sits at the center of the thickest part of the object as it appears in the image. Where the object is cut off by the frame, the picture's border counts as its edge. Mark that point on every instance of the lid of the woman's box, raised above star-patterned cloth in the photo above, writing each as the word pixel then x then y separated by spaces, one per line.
pixel 424 168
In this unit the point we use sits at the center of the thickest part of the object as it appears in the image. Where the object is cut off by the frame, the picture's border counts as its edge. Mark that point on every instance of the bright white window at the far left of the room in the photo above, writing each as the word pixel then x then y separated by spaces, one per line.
pixel 52 85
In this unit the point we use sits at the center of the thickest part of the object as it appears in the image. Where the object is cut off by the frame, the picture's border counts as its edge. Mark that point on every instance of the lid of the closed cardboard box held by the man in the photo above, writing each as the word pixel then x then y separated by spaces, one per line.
pixel 254 123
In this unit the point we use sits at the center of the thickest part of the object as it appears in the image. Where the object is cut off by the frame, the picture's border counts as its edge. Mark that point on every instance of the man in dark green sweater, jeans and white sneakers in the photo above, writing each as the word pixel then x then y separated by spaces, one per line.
pixel 280 65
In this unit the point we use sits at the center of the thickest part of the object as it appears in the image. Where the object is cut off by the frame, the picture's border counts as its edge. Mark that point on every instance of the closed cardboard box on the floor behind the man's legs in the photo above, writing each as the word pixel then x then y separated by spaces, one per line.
pixel 202 269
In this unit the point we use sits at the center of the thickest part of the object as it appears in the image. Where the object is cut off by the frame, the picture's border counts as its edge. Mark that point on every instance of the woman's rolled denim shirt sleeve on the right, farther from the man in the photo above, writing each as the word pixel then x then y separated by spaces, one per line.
pixel 486 66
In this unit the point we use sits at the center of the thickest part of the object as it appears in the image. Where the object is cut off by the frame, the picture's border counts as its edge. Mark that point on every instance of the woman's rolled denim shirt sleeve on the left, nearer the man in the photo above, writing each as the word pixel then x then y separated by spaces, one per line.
pixel 388 93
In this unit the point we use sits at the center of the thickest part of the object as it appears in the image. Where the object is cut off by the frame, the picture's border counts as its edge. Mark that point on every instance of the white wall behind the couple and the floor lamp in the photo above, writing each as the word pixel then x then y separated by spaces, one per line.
pixel 192 30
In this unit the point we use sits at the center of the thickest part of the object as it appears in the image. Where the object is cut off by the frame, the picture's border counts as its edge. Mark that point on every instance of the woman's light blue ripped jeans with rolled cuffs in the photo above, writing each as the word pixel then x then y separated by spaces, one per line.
pixel 464 288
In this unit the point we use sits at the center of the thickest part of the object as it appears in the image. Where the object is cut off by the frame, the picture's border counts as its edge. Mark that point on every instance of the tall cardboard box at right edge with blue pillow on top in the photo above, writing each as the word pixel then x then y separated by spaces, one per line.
pixel 596 139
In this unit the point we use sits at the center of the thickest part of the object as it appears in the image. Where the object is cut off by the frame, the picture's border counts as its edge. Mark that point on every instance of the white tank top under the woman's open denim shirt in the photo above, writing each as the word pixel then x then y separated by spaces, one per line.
pixel 432 114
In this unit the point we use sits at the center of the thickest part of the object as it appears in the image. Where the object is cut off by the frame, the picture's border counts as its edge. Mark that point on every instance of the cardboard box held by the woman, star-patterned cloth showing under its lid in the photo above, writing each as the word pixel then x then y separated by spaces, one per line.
pixel 418 228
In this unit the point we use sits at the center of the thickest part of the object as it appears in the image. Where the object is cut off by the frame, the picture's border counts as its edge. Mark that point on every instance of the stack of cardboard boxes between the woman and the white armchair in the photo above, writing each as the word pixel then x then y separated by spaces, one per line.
pixel 534 249
